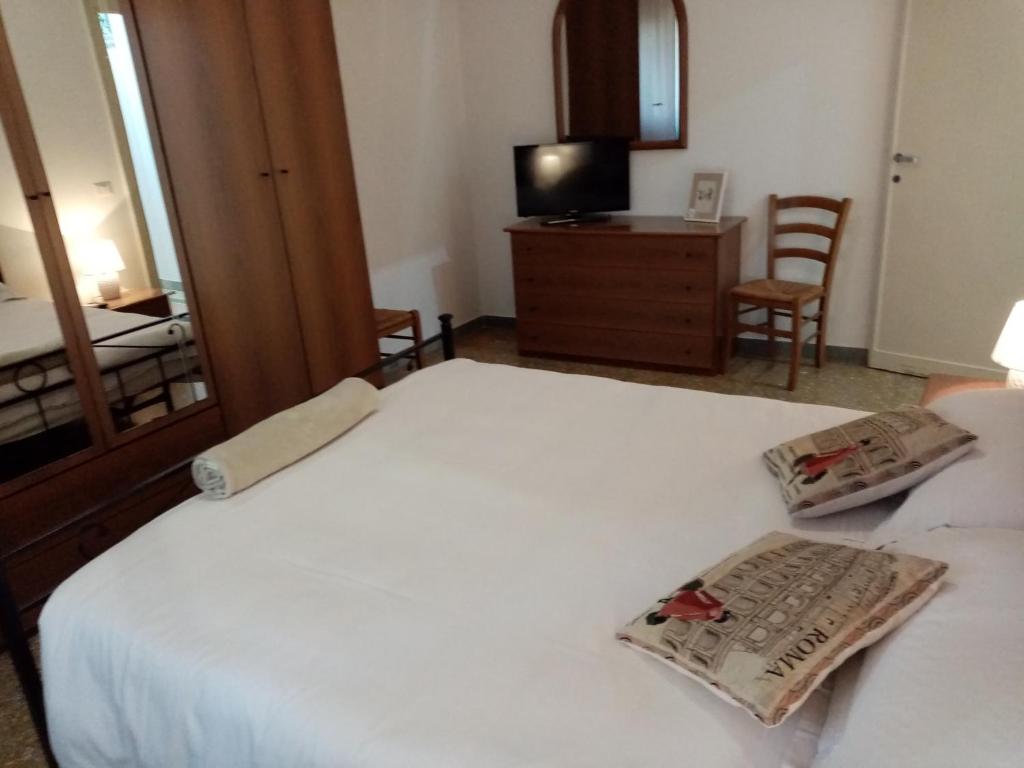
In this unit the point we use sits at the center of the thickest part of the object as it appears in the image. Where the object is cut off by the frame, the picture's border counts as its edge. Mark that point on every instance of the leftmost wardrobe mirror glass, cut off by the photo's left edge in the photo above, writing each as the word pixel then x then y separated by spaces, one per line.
pixel 41 415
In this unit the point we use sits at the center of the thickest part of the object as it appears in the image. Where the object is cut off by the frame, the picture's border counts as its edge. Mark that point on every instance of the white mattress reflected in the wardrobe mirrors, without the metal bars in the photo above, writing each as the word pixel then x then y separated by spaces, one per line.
pixel 31 329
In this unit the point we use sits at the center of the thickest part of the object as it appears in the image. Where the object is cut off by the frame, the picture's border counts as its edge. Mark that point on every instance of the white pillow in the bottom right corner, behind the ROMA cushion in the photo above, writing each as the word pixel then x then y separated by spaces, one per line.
pixel 946 689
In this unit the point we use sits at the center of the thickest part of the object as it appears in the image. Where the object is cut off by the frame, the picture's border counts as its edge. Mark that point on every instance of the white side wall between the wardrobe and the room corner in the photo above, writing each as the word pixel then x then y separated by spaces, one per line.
pixel 402 72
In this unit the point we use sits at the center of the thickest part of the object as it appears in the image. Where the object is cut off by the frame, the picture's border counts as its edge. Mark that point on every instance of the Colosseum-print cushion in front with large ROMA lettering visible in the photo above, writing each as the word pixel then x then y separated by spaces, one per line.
pixel 766 626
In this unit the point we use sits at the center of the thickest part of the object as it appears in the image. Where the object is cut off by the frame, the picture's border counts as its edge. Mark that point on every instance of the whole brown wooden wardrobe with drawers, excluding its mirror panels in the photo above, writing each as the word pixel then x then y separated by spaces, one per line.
pixel 246 101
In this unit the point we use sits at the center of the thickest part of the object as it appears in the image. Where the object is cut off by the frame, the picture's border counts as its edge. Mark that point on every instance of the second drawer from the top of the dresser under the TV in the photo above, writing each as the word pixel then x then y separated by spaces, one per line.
pixel 642 285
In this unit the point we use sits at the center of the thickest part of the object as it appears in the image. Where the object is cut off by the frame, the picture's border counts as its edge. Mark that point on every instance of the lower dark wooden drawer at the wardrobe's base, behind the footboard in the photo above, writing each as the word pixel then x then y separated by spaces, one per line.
pixel 38 570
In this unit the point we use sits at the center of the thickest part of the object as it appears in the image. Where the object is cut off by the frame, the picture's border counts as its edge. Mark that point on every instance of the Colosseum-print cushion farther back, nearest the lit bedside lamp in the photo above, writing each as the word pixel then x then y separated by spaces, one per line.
pixel 865 460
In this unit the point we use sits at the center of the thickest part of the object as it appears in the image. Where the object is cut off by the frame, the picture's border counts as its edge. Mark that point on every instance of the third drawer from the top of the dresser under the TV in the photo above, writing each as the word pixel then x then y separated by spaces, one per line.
pixel 622 314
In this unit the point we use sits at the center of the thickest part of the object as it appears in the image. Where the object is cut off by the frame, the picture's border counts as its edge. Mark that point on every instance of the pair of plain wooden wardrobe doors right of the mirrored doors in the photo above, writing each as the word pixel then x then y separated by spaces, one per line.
pixel 248 97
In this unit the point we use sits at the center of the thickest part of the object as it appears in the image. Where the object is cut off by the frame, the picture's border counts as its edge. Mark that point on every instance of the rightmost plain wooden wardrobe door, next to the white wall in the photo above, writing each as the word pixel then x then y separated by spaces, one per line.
pixel 301 90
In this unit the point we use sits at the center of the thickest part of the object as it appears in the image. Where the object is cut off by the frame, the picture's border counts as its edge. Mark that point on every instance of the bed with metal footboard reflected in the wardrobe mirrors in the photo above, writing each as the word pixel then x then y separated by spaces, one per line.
pixel 136 354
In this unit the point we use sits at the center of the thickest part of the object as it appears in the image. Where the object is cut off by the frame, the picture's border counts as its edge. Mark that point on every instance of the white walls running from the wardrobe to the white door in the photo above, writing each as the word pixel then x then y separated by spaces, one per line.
pixel 791 97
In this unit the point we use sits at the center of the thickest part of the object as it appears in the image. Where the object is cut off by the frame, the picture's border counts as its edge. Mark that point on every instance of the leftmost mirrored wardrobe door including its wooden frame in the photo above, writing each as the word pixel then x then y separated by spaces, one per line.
pixel 46 414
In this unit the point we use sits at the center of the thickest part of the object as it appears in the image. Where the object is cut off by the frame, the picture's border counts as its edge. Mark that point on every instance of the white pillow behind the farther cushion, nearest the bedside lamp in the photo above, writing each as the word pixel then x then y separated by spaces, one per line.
pixel 986 489
